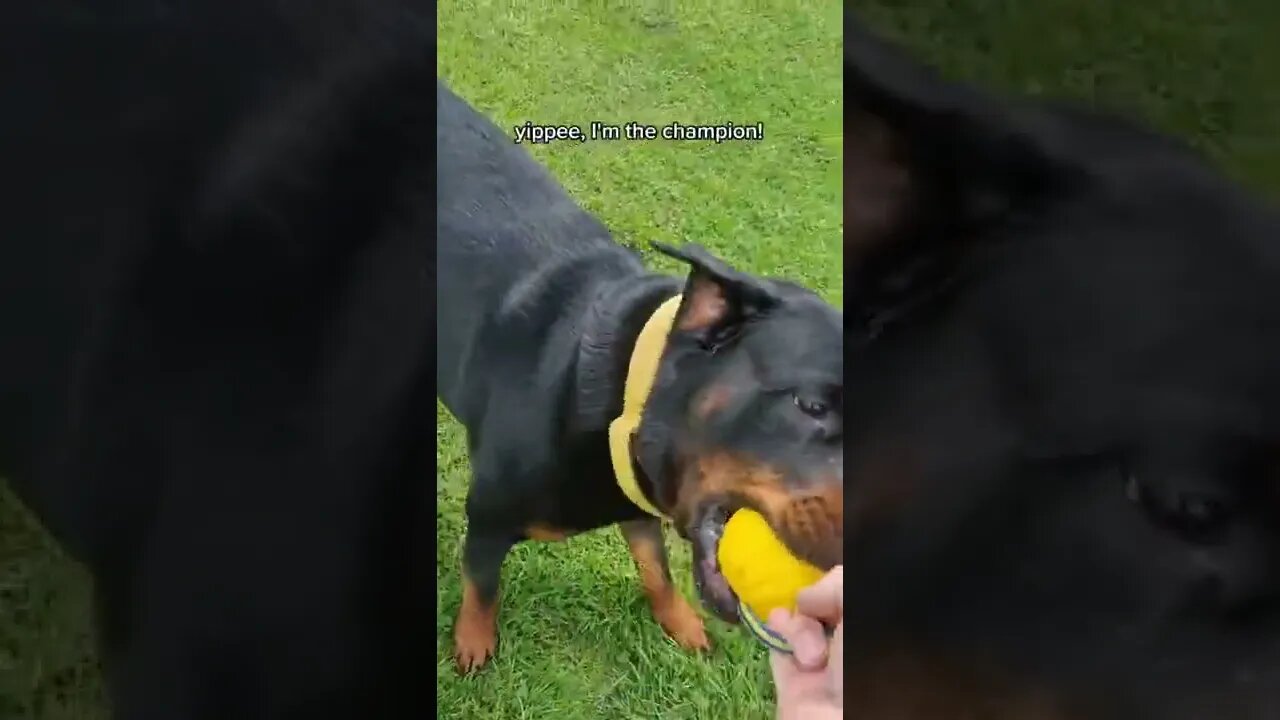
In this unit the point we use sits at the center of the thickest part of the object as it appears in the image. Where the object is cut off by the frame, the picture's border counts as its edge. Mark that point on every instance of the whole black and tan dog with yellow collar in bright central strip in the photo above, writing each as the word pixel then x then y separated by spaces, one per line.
pixel 540 322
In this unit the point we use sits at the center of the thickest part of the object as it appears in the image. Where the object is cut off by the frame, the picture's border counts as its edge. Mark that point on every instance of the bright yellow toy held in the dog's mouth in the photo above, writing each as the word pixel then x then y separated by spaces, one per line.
pixel 762 573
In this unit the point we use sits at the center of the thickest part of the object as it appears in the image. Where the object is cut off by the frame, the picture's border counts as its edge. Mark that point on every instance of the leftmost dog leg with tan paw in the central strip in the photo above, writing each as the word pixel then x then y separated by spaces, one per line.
pixel 476 635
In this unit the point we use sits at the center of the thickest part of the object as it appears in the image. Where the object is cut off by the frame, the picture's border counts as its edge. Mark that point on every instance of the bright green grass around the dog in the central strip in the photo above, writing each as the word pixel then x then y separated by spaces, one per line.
pixel 577 636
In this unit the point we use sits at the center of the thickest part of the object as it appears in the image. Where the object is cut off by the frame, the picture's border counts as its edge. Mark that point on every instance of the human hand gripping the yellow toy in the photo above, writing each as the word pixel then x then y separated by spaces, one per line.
pixel 811 682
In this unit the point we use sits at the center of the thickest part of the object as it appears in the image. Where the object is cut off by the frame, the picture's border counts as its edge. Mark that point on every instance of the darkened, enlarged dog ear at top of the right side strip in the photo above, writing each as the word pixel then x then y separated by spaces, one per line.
pixel 929 163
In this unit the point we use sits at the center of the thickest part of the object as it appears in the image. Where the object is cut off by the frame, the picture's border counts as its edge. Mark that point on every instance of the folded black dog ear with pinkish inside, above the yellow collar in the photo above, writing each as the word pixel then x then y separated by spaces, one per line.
pixel 717 298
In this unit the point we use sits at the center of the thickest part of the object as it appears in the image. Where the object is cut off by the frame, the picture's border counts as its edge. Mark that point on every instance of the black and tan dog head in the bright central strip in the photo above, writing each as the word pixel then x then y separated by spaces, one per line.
pixel 747 412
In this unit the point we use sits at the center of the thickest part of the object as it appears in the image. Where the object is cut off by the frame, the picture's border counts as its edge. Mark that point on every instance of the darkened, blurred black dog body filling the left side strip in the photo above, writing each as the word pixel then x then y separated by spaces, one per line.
pixel 217 313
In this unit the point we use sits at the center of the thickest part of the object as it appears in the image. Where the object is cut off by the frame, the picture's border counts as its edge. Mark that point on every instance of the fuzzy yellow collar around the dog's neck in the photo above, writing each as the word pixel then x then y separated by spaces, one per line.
pixel 636 391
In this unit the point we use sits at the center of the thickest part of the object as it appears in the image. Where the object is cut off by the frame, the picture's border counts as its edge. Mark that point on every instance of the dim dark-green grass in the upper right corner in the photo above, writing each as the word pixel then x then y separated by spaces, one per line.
pixel 1201 70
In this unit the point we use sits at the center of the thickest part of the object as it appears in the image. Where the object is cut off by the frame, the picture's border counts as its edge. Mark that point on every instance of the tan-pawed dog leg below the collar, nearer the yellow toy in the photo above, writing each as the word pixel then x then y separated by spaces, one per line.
pixel 674 613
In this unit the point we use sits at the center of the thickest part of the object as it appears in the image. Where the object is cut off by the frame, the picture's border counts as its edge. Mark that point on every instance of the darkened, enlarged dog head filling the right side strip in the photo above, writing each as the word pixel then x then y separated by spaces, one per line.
pixel 1064 429
